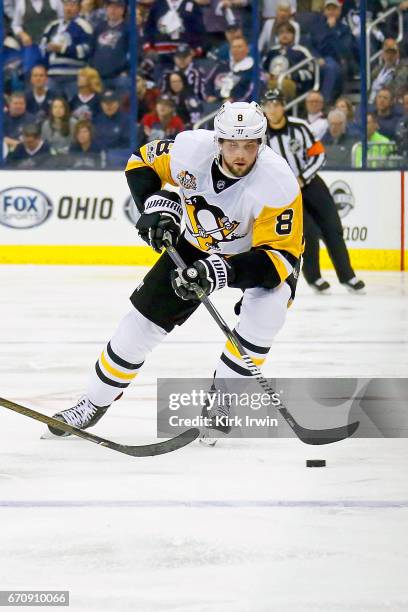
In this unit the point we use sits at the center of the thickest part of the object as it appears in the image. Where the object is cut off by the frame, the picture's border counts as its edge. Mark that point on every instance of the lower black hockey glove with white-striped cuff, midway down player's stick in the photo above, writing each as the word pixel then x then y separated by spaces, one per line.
pixel 210 274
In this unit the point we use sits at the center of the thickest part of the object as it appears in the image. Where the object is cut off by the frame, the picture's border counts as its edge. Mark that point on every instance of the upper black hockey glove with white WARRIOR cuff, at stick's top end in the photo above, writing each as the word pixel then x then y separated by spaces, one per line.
pixel 161 219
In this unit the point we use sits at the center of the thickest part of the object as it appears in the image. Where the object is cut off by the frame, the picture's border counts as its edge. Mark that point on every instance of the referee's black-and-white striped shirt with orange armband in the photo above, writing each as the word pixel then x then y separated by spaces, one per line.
pixel 296 143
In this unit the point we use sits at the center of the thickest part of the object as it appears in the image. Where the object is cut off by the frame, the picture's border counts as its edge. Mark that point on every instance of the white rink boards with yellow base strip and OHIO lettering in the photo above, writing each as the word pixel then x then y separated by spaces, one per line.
pixel 88 218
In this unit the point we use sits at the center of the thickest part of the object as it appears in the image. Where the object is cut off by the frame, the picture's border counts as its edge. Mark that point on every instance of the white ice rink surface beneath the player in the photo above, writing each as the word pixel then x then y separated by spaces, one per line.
pixel 244 527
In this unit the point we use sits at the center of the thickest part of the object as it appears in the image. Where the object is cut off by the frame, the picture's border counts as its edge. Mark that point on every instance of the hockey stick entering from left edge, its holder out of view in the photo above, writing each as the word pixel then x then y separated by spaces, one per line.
pixel 147 450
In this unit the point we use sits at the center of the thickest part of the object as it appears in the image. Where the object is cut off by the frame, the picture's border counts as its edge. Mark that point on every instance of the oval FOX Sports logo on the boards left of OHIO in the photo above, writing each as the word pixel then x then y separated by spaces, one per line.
pixel 24 207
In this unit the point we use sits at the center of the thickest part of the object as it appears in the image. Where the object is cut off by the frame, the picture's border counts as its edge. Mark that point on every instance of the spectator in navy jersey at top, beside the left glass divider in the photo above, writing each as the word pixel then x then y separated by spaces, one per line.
pixel 111 47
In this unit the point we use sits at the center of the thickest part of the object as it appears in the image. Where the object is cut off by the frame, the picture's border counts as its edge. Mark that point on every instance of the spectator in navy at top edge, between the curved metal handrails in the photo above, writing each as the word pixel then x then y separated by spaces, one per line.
pixel 345 43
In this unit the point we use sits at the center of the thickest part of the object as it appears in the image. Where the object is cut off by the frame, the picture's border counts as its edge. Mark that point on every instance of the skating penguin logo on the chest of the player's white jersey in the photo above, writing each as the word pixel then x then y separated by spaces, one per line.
pixel 209 224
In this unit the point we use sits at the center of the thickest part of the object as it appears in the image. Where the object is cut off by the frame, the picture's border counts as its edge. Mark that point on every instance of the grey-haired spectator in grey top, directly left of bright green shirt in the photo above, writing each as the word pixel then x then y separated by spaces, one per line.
pixel 337 142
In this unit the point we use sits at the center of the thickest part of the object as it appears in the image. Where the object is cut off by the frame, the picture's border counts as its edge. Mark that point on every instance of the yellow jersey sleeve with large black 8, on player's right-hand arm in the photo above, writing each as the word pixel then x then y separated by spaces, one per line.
pixel 280 229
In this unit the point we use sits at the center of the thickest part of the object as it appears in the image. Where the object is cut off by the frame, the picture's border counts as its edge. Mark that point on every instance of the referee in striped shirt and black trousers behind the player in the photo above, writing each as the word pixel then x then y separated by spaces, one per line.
pixel 292 138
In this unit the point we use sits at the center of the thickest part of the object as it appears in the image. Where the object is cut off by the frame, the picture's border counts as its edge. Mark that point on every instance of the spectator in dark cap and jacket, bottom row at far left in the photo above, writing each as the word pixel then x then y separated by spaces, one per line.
pixel 32 153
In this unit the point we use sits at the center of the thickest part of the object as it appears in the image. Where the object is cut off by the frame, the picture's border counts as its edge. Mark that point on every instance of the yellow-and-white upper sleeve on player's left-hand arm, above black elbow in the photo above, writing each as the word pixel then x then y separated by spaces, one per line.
pixel 155 155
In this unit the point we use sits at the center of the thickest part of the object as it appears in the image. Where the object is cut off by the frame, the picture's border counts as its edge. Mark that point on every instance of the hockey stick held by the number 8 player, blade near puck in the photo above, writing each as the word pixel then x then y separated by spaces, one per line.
pixel 308 436
